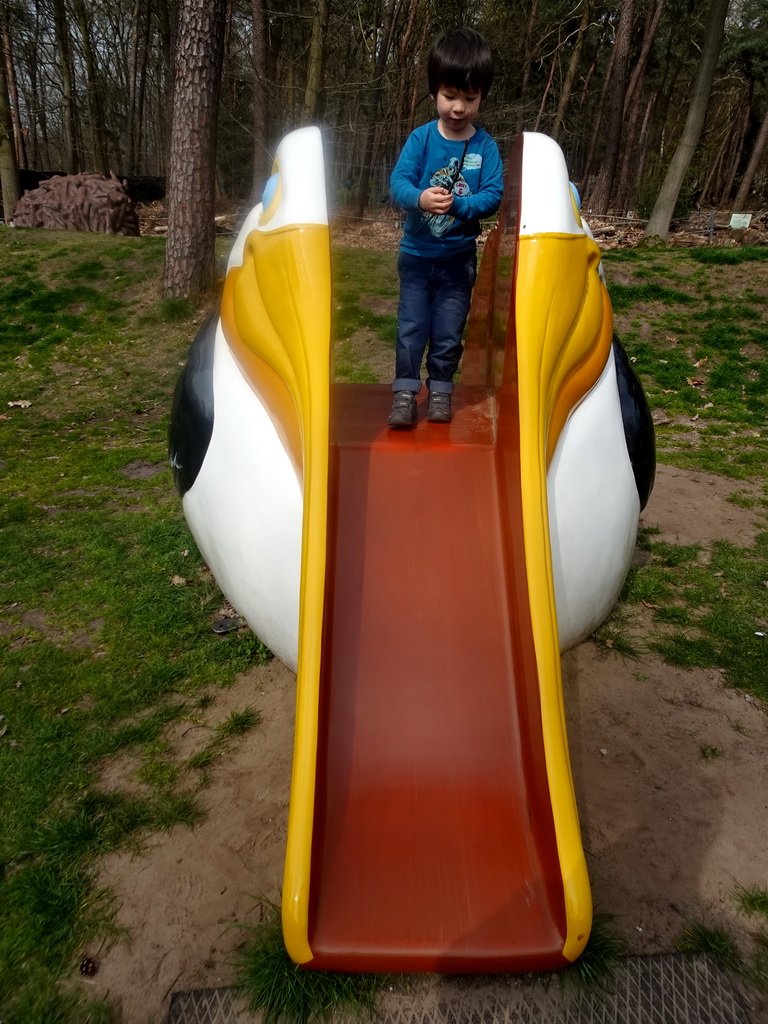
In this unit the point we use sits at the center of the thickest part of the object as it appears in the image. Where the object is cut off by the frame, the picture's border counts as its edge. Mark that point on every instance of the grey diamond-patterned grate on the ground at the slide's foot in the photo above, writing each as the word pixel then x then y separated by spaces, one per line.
pixel 663 990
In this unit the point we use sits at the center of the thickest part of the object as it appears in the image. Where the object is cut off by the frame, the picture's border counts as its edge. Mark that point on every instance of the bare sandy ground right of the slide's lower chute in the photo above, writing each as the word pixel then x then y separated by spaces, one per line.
pixel 668 833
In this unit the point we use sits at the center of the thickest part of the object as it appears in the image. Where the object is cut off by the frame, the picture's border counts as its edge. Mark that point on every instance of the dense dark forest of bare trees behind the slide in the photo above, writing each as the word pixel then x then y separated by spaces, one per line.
pixel 88 86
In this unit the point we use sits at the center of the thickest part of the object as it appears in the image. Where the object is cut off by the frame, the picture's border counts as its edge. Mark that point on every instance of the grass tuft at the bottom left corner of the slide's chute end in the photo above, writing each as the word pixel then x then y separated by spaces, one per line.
pixel 285 994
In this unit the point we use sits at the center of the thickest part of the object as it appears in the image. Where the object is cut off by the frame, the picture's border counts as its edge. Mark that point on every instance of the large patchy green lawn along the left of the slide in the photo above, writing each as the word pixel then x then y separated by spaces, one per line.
pixel 100 654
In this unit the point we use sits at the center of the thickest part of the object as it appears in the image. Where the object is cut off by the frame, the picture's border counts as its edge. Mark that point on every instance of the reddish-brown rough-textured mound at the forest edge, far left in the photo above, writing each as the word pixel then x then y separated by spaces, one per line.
pixel 79 203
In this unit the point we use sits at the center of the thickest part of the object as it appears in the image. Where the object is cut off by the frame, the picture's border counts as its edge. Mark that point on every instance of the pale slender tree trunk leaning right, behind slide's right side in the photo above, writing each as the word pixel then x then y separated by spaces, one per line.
pixel 659 225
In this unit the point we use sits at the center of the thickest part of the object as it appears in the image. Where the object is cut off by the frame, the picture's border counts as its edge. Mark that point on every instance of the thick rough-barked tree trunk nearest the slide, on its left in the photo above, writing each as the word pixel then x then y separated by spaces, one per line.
pixel 198 61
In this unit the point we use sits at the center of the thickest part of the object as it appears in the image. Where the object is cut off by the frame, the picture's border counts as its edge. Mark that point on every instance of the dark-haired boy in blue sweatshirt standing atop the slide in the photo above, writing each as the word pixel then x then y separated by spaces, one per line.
pixel 449 176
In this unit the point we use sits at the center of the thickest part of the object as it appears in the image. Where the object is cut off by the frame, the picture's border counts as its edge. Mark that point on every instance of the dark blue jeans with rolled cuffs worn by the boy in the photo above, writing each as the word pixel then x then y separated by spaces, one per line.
pixel 436 295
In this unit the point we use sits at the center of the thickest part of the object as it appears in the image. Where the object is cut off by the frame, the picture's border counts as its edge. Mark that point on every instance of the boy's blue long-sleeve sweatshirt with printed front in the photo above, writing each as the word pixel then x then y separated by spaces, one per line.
pixel 429 159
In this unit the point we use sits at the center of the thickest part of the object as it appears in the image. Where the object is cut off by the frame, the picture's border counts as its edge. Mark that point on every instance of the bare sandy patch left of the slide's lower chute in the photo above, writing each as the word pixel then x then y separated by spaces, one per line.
pixel 181 900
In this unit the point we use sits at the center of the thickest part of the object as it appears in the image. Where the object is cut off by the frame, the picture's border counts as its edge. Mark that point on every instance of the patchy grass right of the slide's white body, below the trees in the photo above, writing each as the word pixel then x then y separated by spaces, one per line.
pixel 703 354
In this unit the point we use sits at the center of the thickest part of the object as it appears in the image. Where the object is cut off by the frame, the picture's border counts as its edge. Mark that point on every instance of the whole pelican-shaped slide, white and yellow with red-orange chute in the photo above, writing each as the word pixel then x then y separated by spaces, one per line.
pixel 422 583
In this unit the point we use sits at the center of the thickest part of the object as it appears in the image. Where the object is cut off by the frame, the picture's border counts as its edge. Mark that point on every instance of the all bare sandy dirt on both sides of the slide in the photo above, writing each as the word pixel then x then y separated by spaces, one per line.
pixel 668 834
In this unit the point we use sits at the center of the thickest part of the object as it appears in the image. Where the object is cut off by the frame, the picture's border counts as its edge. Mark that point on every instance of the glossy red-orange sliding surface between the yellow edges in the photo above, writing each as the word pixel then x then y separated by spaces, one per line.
pixel 434 844
